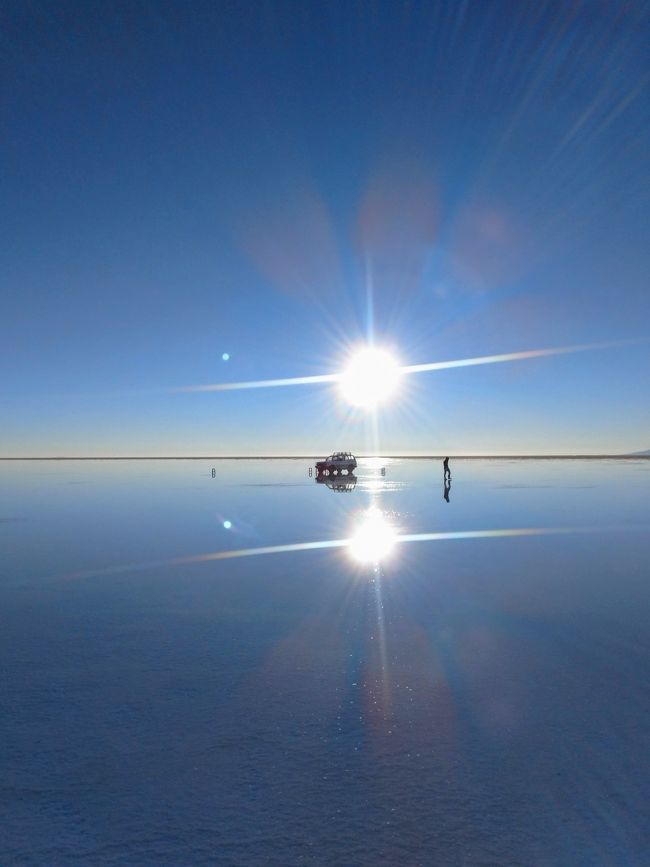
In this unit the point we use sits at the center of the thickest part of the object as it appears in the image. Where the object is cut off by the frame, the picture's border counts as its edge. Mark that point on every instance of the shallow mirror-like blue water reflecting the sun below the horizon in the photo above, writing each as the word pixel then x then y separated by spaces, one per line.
pixel 257 668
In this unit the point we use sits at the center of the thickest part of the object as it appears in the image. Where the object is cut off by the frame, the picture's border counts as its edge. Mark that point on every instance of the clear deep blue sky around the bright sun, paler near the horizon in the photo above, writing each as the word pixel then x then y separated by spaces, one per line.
pixel 183 180
